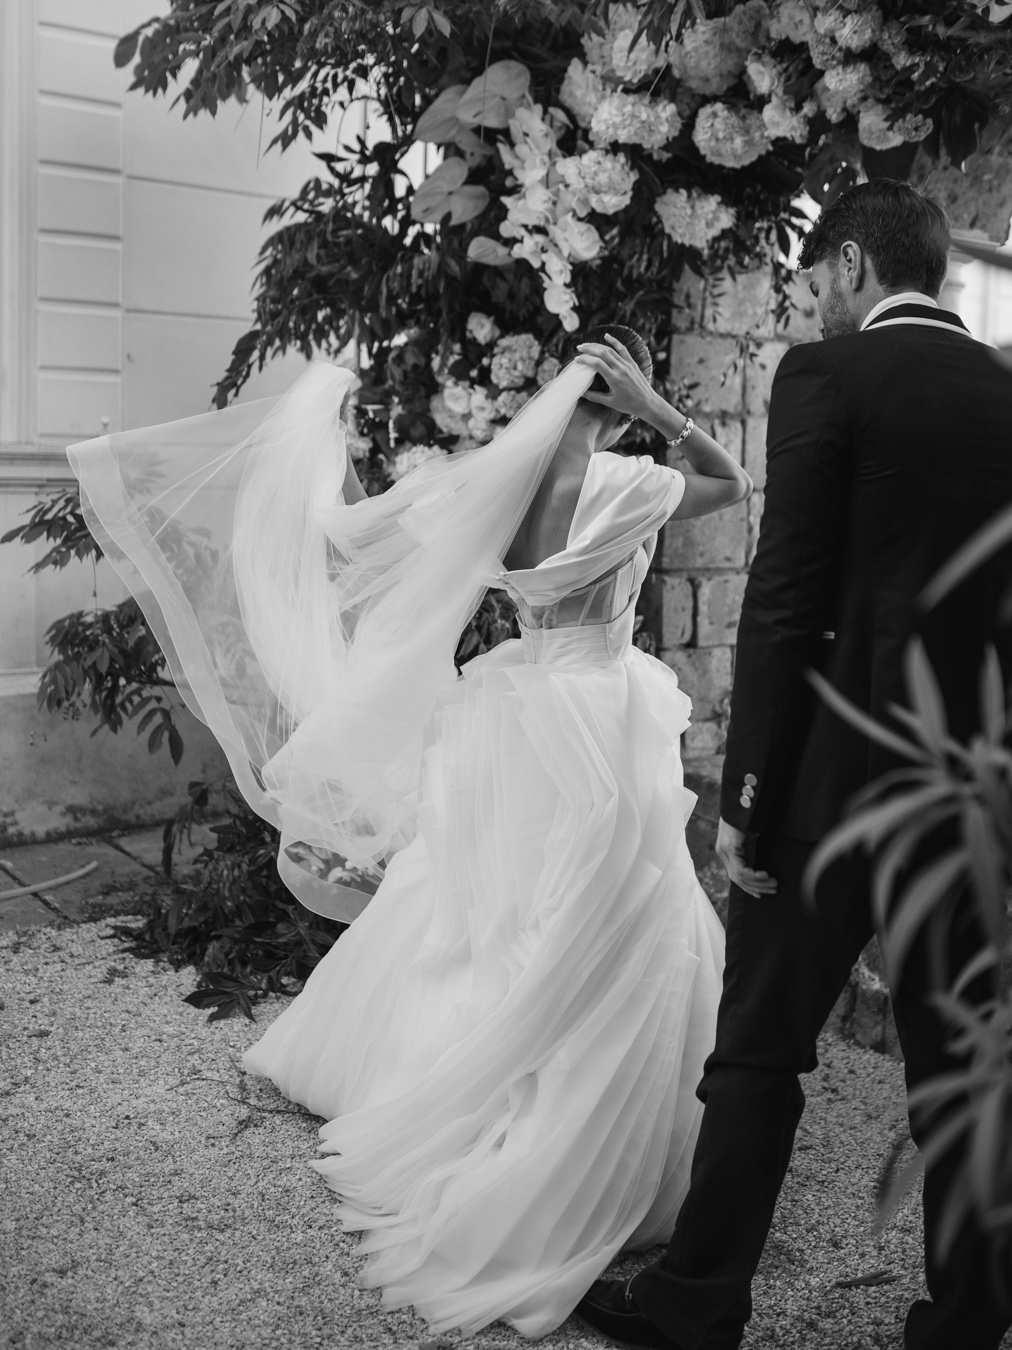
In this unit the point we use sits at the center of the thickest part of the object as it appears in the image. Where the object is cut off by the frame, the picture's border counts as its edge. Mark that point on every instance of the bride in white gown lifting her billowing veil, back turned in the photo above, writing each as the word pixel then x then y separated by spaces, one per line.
pixel 507 1043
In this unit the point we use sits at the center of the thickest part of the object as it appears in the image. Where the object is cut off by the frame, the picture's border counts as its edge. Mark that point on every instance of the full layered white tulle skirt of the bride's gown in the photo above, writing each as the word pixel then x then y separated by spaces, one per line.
pixel 507 1044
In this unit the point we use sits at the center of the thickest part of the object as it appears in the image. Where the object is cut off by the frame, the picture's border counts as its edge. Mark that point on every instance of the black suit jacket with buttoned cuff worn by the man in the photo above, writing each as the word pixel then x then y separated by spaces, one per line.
pixel 887 450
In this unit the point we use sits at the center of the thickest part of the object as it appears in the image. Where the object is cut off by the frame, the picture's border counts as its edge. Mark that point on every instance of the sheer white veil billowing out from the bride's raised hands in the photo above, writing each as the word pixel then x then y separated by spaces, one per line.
pixel 314 638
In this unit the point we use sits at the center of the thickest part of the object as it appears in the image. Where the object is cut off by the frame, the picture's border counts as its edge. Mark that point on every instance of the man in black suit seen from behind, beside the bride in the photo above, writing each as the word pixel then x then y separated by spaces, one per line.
pixel 890 445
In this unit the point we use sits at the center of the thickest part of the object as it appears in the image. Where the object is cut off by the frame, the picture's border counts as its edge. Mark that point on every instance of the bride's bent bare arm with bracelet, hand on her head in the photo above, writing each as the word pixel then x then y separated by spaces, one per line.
pixel 716 479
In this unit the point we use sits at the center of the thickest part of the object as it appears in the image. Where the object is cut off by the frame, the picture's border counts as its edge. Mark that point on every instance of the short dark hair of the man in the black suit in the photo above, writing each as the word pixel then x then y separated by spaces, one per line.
pixel 903 233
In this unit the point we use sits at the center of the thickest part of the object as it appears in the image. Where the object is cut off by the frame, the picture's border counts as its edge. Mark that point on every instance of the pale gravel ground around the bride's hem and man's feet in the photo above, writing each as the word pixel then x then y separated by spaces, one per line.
pixel 154 1197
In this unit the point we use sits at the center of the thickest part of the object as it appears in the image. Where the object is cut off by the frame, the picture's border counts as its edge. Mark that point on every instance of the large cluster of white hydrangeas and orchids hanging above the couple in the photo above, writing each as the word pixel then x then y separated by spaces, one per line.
pixel 669 121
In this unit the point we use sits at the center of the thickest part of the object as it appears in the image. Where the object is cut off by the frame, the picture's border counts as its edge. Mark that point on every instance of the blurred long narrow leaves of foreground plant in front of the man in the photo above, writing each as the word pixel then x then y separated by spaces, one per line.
pixel 968 788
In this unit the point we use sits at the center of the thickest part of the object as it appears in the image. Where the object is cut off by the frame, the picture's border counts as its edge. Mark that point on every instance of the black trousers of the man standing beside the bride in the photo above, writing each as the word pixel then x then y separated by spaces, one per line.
pixel 787 963
